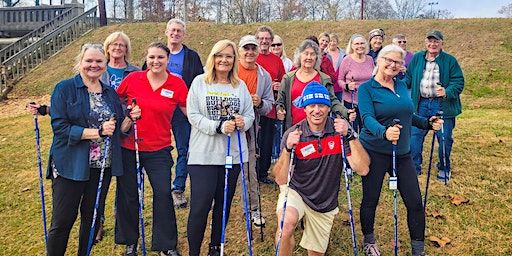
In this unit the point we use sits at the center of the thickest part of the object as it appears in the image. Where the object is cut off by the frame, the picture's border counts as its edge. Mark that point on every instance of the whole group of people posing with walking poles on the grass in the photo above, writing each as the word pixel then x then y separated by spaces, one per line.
pixel 115 118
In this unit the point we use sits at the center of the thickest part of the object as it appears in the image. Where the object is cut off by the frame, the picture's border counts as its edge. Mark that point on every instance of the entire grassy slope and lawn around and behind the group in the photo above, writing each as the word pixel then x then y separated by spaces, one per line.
pixel 481 154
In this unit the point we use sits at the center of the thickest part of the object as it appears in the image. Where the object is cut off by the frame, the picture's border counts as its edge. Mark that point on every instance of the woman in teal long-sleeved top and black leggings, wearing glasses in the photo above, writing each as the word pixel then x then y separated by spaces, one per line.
pixel 382 99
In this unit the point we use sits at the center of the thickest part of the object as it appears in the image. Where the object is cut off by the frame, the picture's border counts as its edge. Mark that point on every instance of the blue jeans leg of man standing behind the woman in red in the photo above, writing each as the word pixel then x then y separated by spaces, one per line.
pixel 181 131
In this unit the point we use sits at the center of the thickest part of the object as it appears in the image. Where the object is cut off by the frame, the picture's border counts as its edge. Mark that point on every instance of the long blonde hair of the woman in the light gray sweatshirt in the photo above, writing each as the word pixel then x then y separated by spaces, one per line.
pixel 210 75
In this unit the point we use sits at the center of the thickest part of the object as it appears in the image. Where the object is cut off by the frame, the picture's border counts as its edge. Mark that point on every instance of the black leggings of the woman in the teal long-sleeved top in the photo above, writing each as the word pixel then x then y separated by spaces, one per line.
pixel 407 185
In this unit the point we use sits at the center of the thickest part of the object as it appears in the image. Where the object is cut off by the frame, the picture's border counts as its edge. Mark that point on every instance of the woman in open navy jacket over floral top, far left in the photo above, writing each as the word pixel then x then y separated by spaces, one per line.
pixel 81 119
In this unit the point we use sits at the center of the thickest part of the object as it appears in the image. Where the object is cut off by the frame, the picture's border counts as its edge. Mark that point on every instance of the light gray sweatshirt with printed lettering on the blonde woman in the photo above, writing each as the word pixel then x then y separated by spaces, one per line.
pixel 206 104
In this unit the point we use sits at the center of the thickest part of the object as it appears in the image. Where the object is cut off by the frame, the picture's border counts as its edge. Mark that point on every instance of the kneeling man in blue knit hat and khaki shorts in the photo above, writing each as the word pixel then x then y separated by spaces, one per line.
pixel 312 193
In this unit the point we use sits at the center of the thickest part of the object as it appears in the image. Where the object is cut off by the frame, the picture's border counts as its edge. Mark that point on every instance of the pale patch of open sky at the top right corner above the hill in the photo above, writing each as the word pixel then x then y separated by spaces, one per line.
pixel 471 8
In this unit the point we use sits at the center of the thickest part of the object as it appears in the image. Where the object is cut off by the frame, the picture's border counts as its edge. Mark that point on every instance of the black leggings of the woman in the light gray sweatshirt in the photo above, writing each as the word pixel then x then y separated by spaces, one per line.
pixel 207 185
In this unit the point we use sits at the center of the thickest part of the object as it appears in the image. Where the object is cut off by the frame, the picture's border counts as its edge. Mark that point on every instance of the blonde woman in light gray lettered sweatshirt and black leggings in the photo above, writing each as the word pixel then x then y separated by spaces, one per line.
pixel 218 103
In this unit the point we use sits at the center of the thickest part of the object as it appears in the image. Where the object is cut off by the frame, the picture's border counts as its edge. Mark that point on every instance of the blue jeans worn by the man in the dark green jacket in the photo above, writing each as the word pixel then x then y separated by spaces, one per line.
pixel 427 108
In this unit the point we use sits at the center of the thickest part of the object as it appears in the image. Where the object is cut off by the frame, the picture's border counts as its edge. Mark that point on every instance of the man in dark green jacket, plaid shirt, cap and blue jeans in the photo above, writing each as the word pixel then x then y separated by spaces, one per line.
pixel 436 82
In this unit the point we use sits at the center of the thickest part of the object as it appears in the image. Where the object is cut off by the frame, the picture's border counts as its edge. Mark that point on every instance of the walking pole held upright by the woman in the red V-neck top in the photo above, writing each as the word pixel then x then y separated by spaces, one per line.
pixel 140 185
